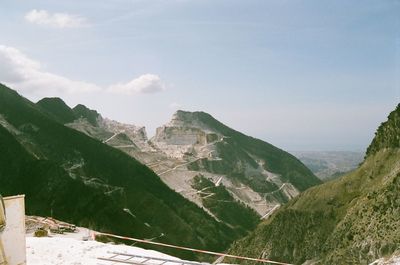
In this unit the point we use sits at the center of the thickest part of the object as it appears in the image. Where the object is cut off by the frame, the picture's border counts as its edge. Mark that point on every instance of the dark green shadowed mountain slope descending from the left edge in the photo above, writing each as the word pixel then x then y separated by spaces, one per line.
pixel 78 179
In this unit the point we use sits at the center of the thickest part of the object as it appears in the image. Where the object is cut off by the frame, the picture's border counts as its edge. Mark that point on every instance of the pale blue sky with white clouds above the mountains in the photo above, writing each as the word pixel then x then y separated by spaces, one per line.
pixel 303 75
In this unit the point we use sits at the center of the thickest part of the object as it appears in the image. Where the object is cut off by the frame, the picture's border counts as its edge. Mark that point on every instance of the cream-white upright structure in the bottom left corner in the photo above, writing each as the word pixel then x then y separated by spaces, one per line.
pixel 13 236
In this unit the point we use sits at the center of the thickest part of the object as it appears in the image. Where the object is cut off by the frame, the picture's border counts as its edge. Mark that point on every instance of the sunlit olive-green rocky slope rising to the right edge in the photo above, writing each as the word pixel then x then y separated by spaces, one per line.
pixel 352 220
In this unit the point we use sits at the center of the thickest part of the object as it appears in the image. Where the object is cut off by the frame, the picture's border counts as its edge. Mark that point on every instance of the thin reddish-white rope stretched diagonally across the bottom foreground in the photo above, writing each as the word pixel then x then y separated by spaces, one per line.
pixel 193 249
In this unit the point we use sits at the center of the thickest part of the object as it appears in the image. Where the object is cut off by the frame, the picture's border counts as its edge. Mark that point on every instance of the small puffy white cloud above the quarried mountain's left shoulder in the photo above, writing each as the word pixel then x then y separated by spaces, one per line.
pixel 147 83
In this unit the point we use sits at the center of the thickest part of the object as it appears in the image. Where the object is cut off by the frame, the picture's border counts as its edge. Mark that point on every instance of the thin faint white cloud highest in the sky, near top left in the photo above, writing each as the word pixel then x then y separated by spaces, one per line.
pixel 55 20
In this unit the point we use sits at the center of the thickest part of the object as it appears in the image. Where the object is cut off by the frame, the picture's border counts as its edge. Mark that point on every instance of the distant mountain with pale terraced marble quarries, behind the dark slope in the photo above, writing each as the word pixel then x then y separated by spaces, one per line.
pixel 258 176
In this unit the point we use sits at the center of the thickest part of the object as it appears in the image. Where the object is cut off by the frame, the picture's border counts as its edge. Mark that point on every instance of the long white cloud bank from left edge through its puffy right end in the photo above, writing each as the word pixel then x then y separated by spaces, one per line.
pixel 28 76
